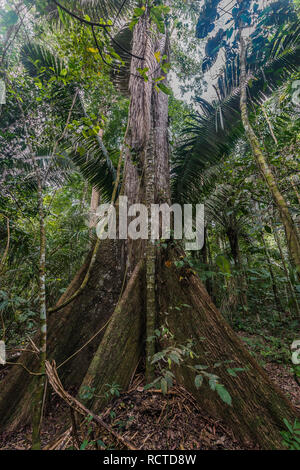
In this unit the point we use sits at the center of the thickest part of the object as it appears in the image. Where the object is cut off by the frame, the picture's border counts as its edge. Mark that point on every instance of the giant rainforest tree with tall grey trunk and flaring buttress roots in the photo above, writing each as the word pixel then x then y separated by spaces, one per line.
pixel 111 320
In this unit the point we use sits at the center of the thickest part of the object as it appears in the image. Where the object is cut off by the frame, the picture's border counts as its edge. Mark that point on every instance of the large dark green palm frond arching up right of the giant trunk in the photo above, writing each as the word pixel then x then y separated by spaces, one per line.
pixel 214 132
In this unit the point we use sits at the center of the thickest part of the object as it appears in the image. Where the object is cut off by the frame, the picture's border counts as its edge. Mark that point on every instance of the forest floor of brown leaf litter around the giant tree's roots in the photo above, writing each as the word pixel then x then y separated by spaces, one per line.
pixel 148 419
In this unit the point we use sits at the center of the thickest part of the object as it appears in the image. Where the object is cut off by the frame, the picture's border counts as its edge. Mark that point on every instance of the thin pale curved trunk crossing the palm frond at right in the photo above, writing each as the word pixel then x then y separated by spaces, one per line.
pixel 293 241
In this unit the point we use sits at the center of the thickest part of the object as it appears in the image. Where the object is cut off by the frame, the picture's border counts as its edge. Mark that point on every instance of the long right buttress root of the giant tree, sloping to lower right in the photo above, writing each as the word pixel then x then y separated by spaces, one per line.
pixel 258 406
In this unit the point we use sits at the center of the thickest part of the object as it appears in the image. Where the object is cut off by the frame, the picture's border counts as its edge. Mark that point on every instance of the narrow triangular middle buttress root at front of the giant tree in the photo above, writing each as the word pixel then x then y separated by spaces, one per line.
pixel 118 354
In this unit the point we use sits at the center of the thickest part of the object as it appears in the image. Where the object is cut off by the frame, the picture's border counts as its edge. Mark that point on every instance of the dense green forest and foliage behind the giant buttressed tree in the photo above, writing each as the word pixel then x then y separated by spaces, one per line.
pixel 67 104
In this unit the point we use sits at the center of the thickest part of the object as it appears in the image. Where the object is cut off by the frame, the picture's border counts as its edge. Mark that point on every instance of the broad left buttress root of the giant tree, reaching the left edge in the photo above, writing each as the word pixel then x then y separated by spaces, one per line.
pixel 68 330
